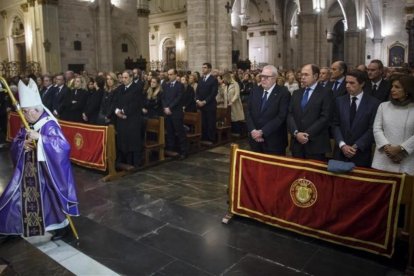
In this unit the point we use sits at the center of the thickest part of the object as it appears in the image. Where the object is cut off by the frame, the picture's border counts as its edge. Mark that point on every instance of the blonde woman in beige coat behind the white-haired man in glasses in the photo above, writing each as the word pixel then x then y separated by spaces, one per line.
pixel 234 101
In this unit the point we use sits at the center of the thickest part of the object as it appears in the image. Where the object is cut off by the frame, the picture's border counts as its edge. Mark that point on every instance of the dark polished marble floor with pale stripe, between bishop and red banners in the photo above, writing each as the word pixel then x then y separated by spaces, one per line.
pixel 166 220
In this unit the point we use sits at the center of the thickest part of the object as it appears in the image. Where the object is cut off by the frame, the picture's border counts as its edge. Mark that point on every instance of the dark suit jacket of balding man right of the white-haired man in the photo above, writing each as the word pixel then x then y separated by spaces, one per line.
pixel 314 119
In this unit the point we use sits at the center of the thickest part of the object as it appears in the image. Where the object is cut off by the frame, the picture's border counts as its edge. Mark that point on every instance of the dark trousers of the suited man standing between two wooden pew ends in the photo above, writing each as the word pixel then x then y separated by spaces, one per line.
pixel 176 134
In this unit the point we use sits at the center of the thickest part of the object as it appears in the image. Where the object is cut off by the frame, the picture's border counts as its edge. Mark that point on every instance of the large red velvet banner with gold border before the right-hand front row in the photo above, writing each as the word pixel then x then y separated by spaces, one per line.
pixel 358 209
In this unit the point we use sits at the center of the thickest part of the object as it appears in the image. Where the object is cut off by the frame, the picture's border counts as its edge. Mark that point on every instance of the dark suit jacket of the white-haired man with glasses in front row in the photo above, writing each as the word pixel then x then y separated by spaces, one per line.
pixel 272 119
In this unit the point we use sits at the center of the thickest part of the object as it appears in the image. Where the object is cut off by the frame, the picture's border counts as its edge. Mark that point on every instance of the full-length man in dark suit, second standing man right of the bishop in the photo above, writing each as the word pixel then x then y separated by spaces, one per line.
pixel 171 98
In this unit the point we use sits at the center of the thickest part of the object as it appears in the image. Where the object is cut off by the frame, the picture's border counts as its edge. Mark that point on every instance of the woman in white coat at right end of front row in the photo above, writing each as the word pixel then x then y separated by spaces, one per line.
pixel 394 128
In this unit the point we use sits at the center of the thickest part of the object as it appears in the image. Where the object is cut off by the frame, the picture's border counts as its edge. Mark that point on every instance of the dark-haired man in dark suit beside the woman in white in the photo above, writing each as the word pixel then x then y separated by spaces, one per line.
pixel 354 116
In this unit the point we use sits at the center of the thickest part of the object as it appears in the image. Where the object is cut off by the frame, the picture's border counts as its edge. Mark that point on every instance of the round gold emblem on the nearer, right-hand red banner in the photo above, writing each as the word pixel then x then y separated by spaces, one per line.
pixel 303 193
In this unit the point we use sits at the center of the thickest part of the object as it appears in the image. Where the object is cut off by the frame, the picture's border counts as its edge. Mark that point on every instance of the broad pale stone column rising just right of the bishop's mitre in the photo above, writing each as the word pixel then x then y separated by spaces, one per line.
pixel 49 56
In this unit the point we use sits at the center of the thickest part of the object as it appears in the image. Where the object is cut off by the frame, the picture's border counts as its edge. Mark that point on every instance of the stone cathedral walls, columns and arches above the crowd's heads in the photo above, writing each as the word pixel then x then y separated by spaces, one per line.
pixel 104 35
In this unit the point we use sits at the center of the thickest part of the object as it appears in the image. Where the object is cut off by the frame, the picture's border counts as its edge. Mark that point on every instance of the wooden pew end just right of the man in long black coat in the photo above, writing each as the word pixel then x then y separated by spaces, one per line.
pixel 155 128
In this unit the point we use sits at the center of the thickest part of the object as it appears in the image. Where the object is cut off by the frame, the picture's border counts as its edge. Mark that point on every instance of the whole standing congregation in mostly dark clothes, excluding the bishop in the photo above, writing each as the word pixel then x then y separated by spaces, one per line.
pixel 356 107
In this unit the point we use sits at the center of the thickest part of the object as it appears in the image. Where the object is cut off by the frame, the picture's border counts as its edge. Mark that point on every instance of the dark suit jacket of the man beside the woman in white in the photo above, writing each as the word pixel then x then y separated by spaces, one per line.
pixel 359 133
